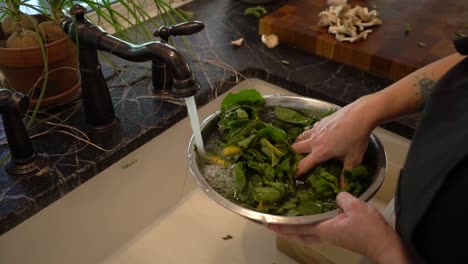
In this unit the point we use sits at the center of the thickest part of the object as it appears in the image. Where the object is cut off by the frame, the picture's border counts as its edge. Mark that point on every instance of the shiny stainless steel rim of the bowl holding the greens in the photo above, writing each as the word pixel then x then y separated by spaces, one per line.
pixel 375 158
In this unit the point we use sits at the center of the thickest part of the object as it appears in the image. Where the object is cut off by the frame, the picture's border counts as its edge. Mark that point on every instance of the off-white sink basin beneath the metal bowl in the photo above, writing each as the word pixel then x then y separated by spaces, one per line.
pixel 146 208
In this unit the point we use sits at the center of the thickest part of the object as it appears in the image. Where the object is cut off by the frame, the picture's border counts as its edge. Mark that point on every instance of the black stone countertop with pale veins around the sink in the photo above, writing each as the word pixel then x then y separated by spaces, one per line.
pixel 143 115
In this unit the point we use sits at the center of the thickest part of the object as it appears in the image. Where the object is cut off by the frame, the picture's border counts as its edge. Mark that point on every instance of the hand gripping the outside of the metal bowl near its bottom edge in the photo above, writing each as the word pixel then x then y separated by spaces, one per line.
pixel 359 228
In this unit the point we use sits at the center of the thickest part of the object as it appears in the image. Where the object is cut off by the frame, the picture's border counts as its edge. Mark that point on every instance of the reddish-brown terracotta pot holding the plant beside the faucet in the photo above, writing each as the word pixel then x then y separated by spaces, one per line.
pixel 23 67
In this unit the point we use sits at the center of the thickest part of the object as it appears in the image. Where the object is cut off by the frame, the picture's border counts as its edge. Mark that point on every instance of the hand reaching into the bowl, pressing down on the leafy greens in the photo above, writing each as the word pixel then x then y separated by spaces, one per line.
pixel 343 135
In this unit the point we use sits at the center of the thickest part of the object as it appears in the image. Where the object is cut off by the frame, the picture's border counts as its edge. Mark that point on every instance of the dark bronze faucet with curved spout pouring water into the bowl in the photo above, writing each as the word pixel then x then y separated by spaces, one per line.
pixel 97 102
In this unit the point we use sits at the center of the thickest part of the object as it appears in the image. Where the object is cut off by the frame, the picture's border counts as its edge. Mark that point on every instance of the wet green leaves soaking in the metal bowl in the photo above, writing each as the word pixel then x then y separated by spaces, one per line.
pixel 255 142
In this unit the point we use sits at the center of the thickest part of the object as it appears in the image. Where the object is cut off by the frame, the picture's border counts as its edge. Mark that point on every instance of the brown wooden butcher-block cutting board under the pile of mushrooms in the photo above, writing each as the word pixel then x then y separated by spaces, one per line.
pixel 388 51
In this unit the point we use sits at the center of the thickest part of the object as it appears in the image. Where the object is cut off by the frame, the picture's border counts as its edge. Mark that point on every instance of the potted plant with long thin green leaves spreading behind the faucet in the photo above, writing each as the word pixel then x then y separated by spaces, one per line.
pixel 38 59
